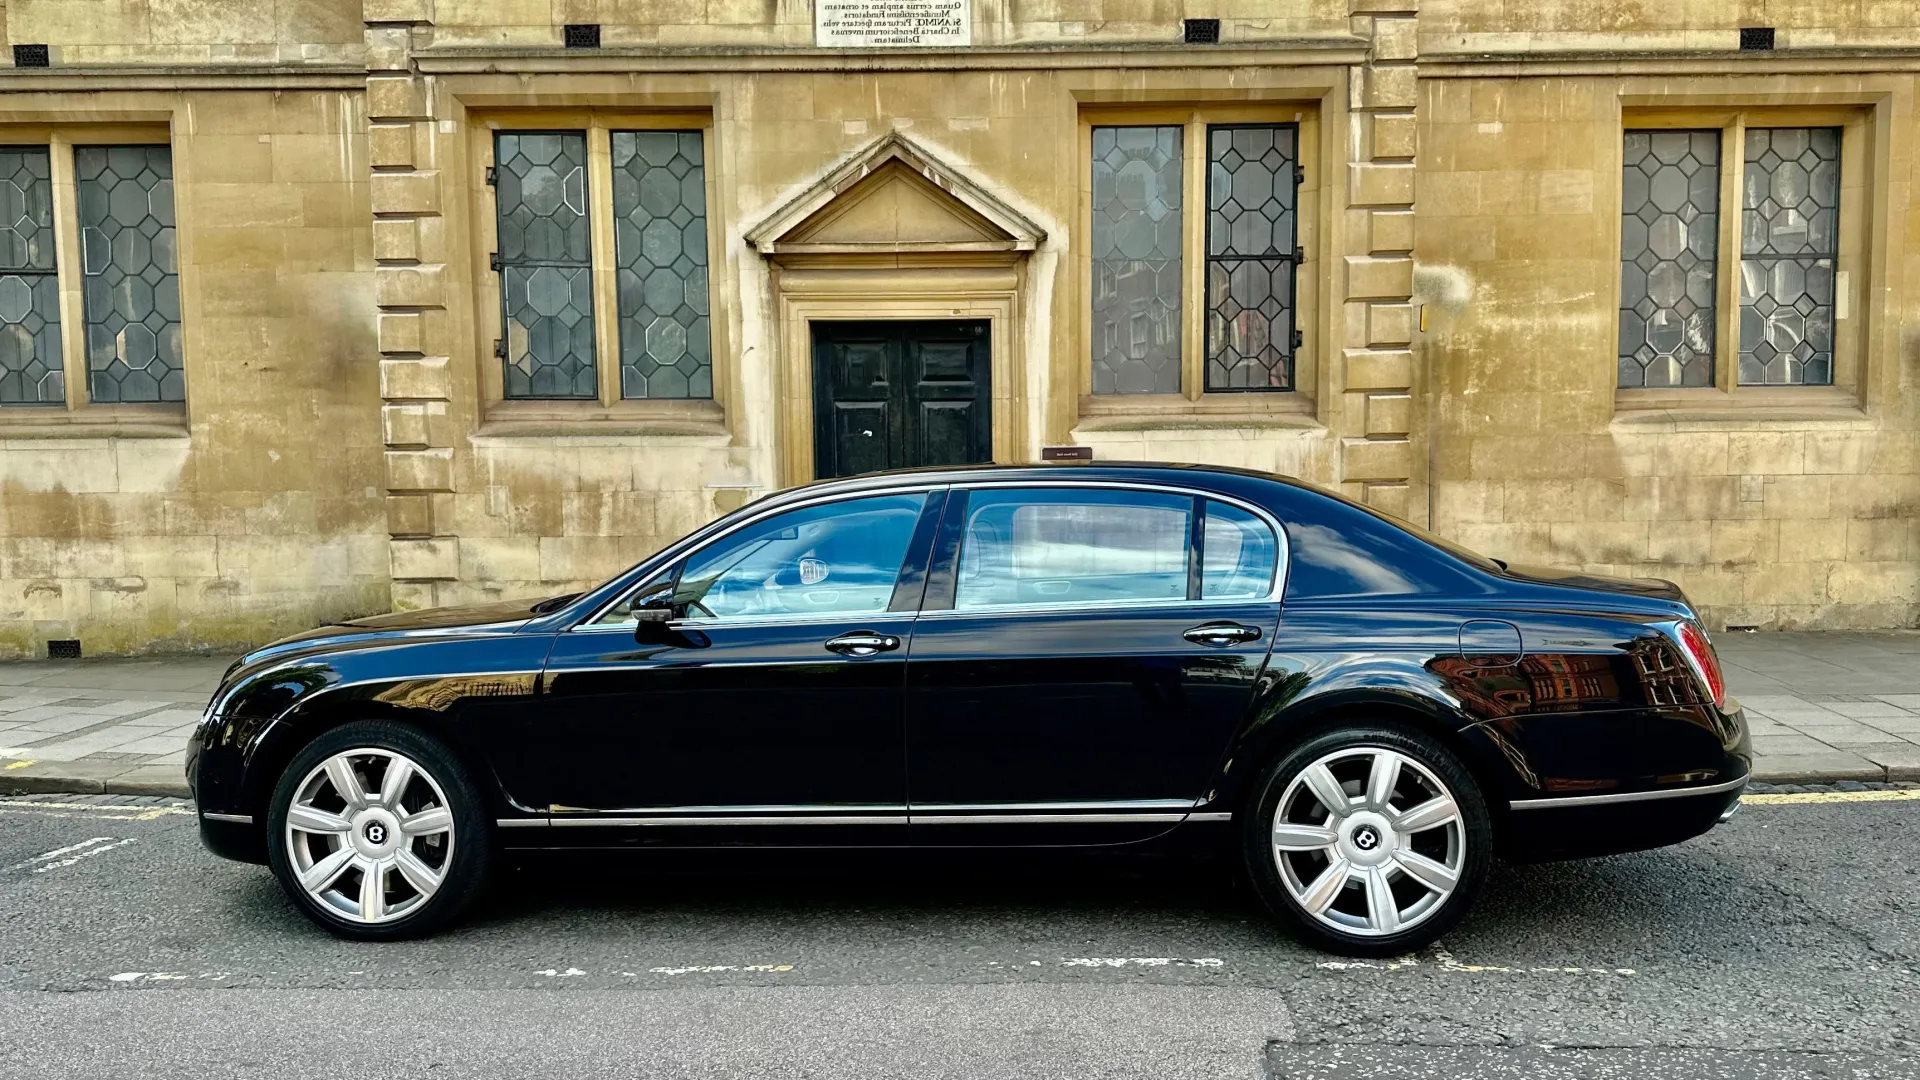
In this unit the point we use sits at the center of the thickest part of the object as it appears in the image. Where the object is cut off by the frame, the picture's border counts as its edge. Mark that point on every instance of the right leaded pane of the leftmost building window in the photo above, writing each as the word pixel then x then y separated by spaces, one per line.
pixel 132 280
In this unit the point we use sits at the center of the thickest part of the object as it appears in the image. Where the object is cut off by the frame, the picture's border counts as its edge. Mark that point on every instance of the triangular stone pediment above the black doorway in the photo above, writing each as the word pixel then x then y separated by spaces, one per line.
pixel 894 199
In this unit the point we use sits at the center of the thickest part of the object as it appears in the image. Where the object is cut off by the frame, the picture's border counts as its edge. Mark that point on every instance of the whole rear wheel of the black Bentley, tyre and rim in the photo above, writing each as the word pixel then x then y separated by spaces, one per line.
pixel 1368 841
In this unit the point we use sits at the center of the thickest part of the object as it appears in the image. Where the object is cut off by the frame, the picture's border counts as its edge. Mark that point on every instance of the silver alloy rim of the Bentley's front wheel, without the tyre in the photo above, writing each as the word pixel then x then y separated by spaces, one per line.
pixel 370 835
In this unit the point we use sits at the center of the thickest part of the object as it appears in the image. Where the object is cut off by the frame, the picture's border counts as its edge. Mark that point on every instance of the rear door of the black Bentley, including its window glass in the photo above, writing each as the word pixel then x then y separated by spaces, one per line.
pixel 1082 660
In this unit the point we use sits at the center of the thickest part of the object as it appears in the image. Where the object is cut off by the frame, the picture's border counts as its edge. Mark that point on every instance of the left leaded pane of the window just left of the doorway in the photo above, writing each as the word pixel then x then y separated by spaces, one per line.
pixel 546 264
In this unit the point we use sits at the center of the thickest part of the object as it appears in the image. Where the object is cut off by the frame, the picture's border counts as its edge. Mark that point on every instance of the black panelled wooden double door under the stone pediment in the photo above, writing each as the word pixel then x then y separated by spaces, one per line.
pixel 901 395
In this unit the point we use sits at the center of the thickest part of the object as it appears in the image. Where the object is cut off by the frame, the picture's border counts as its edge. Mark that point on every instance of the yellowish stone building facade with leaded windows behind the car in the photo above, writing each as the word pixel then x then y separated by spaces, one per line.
pixel 322 308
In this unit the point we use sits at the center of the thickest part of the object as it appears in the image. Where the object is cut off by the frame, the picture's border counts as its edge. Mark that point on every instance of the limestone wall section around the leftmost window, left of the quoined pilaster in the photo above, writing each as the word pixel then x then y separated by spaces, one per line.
pixel 256 510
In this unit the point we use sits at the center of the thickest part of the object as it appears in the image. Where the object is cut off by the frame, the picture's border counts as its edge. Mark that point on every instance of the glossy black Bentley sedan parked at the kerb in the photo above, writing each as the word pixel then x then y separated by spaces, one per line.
pixel 996 658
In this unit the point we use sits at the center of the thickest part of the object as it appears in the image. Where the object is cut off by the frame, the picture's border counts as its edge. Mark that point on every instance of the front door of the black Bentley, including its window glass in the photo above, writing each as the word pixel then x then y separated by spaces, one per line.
pixel 756 689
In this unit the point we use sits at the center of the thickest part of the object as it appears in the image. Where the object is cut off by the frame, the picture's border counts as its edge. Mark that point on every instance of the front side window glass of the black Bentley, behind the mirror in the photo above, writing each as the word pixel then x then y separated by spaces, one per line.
pixel 827 560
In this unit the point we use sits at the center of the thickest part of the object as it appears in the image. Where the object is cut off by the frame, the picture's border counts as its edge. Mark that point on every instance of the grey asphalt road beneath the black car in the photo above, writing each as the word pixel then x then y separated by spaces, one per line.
pixel 1785 945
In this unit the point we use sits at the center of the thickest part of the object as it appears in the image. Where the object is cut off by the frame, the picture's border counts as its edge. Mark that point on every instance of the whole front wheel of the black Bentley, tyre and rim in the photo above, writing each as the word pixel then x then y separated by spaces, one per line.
pixel 377 833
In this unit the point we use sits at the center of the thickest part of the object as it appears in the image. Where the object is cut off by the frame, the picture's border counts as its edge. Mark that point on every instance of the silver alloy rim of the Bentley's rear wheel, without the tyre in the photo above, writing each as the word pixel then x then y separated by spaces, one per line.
pixel 1368 841
